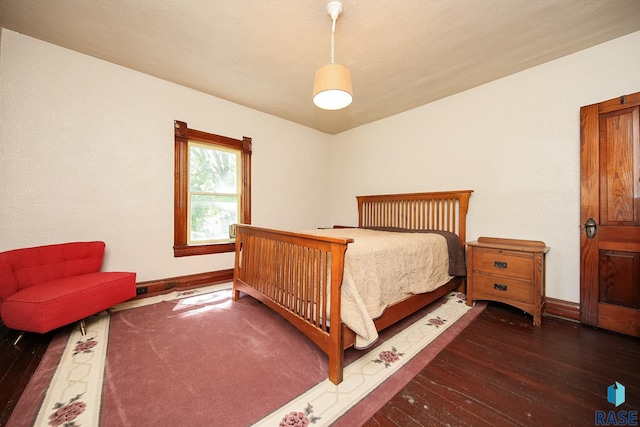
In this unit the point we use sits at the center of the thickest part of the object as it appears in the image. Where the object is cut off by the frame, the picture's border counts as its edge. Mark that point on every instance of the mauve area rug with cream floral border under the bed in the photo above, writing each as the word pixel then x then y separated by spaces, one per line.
pixel 198 358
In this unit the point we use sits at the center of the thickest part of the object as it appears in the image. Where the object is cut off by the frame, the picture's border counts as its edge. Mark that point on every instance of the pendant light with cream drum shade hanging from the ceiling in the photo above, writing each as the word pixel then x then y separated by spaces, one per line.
pixel 332 85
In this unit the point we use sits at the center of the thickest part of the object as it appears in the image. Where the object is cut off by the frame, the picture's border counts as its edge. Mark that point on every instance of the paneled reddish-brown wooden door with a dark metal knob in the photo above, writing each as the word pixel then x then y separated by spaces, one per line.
pixel 610 214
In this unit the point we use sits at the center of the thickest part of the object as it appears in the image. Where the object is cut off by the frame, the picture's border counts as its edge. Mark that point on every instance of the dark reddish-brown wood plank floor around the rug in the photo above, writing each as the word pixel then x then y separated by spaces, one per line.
pixel 500 371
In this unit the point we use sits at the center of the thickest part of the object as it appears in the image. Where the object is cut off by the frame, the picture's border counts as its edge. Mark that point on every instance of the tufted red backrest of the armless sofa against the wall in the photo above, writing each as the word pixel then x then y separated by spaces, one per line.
pixel 22 268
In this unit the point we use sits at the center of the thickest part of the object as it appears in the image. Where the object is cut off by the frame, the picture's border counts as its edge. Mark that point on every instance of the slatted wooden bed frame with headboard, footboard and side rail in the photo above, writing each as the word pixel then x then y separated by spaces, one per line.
pixel 287 271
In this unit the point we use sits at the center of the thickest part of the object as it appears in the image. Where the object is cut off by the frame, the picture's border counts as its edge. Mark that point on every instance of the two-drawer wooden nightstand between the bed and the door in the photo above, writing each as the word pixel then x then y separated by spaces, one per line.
pixel 507 270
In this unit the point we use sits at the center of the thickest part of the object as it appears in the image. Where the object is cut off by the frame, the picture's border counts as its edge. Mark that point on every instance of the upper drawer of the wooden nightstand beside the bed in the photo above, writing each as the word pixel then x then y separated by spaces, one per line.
pixel 504 263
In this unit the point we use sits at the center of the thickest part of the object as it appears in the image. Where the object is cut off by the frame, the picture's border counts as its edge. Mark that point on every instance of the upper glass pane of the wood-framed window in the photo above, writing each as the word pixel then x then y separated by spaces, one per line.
pixel 211 170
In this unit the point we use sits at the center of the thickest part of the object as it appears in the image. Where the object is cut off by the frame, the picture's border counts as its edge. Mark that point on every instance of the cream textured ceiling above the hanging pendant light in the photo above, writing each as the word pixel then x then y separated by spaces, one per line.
pixel 263 54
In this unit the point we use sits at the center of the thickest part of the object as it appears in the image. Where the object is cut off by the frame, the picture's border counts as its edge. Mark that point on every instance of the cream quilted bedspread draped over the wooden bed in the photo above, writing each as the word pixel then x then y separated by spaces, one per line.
pixel 382 268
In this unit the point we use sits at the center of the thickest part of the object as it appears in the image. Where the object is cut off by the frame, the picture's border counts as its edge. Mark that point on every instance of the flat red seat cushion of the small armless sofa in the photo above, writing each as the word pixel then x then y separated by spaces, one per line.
pixel 50 305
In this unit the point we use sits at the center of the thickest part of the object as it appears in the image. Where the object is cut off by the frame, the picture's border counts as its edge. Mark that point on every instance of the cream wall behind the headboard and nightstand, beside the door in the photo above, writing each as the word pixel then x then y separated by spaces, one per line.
pixel 514 141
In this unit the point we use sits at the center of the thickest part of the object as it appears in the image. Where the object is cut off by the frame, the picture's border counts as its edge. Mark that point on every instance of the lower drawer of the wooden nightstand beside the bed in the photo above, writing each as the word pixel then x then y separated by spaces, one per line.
pixel 486 286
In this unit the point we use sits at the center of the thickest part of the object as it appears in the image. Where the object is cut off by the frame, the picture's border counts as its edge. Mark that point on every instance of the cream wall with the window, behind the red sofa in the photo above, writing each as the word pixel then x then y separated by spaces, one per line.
pixel 86 152
